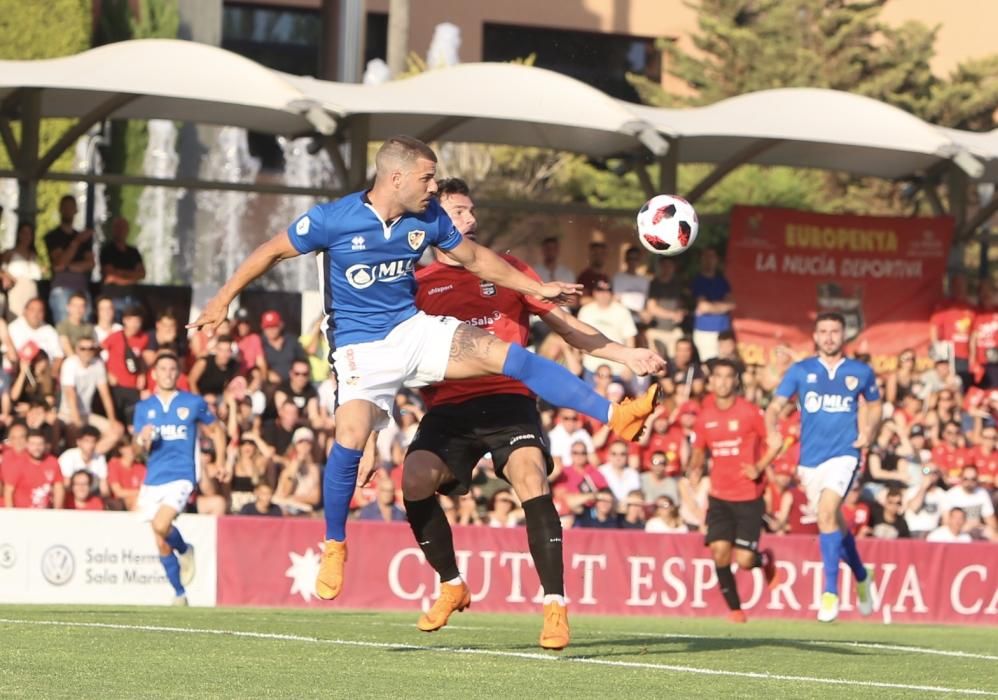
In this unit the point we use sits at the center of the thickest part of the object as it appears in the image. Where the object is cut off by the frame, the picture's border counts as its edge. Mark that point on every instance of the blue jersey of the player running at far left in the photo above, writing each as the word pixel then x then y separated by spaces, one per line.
pixel 173 453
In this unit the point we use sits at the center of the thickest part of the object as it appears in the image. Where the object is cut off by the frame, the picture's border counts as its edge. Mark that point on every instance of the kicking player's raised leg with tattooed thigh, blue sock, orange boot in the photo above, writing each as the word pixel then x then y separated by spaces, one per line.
pixel 476 353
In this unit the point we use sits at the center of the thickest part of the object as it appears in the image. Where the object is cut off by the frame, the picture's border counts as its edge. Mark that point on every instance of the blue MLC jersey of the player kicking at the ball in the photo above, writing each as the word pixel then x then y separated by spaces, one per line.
pixel 366 266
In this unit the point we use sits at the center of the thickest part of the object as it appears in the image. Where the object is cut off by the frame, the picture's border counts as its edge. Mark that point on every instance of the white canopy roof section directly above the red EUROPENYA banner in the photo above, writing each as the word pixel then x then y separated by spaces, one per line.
pixel 806 127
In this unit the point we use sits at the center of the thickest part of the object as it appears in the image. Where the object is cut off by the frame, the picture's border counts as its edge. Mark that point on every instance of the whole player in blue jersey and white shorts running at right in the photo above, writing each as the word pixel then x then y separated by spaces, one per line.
pixel 835 426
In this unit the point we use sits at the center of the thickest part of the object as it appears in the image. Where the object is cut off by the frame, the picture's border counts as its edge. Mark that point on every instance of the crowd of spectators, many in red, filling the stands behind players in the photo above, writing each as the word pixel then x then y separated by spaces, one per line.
pixel 68 390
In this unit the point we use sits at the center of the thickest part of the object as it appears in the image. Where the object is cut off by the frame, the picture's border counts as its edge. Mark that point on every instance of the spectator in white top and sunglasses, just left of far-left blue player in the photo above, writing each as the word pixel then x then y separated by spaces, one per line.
pixel 83 377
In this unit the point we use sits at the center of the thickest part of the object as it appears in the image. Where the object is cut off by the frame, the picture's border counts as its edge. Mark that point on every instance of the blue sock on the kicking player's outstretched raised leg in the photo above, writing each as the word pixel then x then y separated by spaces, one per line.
pixel 554 383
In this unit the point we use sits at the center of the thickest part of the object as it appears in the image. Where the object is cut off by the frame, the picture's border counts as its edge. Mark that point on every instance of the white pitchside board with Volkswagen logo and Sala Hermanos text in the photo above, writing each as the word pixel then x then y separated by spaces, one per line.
pixel 96 558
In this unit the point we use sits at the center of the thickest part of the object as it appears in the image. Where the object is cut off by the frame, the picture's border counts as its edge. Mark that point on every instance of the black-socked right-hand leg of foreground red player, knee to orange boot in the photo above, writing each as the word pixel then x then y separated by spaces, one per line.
pixel 526 471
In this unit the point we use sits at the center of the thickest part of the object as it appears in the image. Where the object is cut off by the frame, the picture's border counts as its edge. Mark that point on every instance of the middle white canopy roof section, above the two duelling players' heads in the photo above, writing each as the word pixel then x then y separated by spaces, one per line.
pixel 498 103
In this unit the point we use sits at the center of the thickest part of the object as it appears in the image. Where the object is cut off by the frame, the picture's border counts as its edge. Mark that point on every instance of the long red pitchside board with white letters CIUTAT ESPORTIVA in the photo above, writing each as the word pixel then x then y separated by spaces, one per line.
pixel 606 572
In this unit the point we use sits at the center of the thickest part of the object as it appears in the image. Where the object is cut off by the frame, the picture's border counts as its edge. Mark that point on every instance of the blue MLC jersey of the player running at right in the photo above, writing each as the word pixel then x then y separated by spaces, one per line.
pixel 829 401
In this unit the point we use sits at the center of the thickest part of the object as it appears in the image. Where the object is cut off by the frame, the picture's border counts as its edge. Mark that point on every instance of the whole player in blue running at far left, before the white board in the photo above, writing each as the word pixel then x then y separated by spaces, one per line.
pixel 166 428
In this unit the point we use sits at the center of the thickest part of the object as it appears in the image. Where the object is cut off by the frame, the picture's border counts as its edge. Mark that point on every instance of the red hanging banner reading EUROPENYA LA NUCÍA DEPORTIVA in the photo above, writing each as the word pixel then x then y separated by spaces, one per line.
pixel 883 274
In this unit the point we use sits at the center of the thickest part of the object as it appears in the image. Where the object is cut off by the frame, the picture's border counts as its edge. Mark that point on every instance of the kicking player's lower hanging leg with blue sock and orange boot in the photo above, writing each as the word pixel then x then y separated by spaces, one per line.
pixel 355 421
